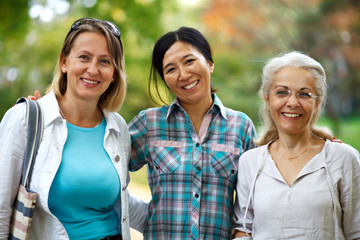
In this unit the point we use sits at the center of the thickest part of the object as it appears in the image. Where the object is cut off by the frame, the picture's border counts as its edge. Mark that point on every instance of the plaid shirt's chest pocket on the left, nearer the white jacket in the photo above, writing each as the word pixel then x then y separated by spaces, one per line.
pixel 166 155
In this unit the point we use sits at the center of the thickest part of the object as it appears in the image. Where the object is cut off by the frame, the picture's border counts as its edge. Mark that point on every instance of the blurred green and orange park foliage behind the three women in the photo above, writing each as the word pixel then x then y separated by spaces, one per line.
pixel 243 35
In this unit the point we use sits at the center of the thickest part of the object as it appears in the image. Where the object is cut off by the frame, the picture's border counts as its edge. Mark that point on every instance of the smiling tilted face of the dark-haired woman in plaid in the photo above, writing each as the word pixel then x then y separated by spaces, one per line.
pixel 187 74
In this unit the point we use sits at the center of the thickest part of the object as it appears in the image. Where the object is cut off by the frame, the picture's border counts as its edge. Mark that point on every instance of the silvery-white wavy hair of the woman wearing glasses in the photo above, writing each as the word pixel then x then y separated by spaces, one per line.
pixel 274 65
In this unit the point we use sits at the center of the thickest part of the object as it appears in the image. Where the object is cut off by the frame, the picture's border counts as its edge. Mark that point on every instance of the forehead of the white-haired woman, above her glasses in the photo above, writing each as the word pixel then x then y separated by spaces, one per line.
pixel 293 77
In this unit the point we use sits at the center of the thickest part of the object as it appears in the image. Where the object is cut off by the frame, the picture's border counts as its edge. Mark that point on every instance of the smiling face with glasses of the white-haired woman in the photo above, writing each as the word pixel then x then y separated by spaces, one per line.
pixel 292 114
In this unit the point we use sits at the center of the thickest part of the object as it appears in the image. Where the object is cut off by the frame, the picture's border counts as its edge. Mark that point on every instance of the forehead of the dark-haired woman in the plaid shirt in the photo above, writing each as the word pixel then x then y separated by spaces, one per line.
pixel 179 50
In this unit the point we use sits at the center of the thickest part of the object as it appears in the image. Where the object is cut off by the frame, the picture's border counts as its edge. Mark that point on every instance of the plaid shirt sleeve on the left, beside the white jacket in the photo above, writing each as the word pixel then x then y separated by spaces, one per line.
pixel 138 132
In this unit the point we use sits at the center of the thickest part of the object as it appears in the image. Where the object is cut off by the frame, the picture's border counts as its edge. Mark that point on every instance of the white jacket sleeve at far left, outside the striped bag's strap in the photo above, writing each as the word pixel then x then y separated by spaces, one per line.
pixel 12 147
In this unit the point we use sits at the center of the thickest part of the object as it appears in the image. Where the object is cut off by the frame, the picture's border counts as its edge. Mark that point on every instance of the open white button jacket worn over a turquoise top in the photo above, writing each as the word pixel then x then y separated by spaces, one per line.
pixel 12 146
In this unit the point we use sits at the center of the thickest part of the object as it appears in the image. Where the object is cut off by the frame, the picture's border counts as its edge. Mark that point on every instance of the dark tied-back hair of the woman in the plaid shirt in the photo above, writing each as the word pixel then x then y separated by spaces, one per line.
pixel 184 34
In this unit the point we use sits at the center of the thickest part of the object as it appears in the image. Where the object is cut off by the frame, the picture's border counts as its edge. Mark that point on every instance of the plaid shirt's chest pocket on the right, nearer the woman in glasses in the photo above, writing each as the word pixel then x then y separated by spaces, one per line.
pixel 224 159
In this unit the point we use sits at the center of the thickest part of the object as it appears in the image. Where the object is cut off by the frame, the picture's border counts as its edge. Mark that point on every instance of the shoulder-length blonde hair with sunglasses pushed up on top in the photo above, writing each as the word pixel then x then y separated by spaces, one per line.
pixel 113 98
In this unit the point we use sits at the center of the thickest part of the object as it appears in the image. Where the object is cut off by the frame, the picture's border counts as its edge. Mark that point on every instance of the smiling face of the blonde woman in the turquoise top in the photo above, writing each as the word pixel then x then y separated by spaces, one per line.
pixel 88 66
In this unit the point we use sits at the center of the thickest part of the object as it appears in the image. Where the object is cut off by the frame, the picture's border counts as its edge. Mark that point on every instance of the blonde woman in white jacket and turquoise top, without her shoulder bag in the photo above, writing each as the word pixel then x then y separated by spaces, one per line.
pixel 81 169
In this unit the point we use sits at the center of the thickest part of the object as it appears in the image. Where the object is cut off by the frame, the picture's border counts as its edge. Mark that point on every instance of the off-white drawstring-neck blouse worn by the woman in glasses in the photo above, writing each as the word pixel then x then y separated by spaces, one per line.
pixel 322 203
